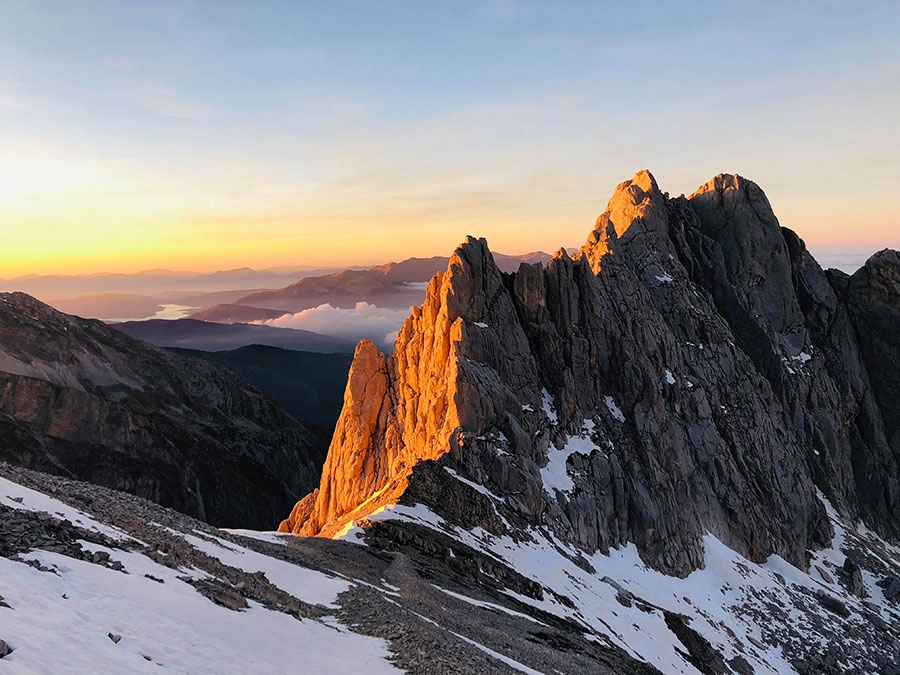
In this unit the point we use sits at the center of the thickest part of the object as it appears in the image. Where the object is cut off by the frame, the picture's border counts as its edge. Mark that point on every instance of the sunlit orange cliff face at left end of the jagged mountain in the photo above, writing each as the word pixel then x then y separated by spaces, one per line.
pixel 396 412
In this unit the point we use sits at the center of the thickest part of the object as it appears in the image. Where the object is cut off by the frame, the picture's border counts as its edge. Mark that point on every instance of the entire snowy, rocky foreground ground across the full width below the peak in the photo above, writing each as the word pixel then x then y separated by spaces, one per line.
pixel 127 586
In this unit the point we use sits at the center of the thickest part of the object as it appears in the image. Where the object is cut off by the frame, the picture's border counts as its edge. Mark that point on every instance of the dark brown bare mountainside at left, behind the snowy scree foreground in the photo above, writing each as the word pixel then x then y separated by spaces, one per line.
pixel 81 399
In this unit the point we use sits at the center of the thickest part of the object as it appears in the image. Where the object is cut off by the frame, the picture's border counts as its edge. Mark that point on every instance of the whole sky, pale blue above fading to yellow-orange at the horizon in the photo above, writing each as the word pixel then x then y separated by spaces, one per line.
pixel 215 135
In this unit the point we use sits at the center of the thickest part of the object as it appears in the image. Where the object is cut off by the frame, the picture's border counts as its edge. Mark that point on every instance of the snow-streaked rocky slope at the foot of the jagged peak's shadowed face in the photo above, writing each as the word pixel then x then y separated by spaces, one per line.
pixel 730 616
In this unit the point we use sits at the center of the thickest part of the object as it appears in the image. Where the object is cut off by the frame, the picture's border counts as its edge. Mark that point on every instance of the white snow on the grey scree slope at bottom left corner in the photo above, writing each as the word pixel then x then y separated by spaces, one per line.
pixel 71 615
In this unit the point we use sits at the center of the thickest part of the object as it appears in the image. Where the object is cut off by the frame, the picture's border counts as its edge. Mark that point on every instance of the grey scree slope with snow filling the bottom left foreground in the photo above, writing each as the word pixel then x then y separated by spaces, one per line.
pixel 100 581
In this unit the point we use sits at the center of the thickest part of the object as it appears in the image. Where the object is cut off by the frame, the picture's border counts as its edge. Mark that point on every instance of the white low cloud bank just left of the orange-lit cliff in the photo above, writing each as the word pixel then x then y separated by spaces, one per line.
pixel 378 324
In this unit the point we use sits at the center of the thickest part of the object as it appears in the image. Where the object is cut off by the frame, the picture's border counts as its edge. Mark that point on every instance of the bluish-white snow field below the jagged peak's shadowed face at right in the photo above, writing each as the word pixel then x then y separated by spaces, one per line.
pixel 728 601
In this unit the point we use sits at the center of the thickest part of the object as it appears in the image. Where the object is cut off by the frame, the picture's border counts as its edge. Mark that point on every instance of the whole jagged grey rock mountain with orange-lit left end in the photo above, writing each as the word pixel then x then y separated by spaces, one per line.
pixel 722 375
